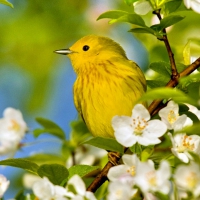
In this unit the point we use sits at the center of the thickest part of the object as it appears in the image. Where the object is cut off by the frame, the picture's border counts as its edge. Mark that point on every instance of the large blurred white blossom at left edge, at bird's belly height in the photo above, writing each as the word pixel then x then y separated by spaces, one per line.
pixel 12 130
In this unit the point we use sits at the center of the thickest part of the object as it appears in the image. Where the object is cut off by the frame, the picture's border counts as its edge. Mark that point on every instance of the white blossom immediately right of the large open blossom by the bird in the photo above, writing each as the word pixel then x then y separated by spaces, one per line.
pixel 170 116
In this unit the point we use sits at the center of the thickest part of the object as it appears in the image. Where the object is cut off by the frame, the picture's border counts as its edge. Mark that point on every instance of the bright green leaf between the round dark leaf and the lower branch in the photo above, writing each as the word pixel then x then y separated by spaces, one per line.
pixel 81 170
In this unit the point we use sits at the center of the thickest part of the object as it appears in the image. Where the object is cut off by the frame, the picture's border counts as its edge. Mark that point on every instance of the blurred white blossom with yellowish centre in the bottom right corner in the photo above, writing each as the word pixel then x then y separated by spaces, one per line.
pixel 187 178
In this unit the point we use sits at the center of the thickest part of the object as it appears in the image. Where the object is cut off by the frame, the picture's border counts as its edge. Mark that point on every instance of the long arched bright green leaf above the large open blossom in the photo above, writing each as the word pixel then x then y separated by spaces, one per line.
pixel 166 93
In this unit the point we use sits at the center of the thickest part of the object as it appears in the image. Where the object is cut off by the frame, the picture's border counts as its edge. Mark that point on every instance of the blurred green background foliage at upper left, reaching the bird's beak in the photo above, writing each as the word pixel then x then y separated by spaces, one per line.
pixel 32 31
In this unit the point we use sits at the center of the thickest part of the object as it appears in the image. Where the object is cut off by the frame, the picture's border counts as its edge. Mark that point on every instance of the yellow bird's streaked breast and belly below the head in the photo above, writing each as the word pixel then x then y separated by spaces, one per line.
pixel 99 95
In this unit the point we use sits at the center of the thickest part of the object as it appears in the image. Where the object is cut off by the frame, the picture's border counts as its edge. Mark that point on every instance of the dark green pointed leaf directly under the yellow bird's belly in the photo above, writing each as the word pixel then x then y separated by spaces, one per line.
pixel 106 143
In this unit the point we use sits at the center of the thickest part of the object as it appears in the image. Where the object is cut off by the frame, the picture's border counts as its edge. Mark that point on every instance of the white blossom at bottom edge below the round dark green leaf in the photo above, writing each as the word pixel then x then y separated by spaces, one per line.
pixel 45 190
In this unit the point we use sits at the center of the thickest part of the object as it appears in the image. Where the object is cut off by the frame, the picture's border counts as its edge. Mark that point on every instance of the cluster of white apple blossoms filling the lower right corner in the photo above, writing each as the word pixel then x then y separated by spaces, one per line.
pixel 133 175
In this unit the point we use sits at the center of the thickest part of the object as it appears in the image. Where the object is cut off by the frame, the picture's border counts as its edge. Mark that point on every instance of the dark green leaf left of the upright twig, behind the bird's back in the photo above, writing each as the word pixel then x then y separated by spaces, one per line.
pixel 161 68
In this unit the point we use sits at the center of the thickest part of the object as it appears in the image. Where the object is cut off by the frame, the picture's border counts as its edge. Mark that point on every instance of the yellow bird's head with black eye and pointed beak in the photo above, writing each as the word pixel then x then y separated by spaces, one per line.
pixel 92 49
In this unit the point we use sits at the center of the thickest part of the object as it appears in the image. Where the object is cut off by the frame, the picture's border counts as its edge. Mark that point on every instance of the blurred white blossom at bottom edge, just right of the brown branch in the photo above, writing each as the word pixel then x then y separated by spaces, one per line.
pixel 120 191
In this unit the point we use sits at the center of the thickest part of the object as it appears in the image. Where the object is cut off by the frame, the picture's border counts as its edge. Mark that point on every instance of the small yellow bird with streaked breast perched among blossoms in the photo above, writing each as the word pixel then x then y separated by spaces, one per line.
pixel 107 84
